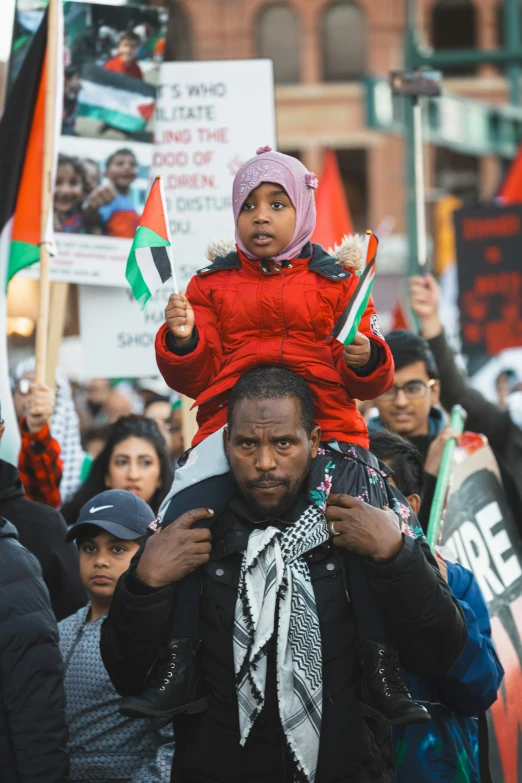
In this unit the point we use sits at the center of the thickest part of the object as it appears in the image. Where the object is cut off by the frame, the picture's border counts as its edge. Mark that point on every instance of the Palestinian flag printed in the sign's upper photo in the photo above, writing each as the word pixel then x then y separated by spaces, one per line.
pixel 115 99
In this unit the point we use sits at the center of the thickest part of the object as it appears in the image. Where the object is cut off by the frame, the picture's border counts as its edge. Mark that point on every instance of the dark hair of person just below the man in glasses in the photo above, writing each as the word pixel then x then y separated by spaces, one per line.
pixel 402 457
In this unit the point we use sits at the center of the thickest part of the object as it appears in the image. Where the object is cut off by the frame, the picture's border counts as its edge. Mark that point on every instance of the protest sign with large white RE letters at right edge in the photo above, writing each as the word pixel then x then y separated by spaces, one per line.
pixel 482 534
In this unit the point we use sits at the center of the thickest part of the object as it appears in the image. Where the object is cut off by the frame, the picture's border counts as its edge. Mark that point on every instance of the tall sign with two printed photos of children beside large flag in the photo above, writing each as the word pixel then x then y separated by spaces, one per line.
pixel 112 58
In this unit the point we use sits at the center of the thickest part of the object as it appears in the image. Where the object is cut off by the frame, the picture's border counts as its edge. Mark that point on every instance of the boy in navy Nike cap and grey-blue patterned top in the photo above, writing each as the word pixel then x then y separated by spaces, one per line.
pixel 104 745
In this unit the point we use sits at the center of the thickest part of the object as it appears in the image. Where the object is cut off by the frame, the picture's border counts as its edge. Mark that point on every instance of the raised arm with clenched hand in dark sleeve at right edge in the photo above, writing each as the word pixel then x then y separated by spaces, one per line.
pixel 496 423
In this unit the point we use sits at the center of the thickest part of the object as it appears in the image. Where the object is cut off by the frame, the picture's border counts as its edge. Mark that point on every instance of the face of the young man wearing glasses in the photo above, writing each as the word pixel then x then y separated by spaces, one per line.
pixel 406 411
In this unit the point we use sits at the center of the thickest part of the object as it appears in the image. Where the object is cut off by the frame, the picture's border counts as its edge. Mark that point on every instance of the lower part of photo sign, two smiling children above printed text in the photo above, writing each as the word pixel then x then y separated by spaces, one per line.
pixel 100 190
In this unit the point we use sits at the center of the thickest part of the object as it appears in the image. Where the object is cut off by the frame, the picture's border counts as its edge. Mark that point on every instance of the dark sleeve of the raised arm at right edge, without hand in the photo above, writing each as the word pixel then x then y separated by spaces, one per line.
pixel 485 417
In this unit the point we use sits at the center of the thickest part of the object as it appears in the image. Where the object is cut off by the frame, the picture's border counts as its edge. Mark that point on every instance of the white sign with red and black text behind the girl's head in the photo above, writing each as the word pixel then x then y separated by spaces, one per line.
pixel 204 131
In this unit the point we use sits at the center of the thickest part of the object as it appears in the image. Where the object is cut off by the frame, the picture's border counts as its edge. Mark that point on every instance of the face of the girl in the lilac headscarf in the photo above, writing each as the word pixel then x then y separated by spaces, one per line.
pixel 267 220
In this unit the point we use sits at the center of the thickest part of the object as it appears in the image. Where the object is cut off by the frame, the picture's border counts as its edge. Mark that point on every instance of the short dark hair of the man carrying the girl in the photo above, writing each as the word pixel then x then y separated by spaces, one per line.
pixel 274 383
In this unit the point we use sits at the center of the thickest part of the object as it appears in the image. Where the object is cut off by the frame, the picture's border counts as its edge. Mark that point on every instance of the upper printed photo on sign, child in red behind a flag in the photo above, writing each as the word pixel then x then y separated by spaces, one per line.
pixel 111 67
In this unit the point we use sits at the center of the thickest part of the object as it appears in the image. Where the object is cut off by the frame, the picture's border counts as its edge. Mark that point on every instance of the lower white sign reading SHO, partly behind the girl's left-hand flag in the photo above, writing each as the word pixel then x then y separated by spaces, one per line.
pixel 118 338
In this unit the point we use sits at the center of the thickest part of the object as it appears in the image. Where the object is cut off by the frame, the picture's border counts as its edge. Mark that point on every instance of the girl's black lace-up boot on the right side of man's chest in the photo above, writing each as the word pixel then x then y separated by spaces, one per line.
pixel 383 694
